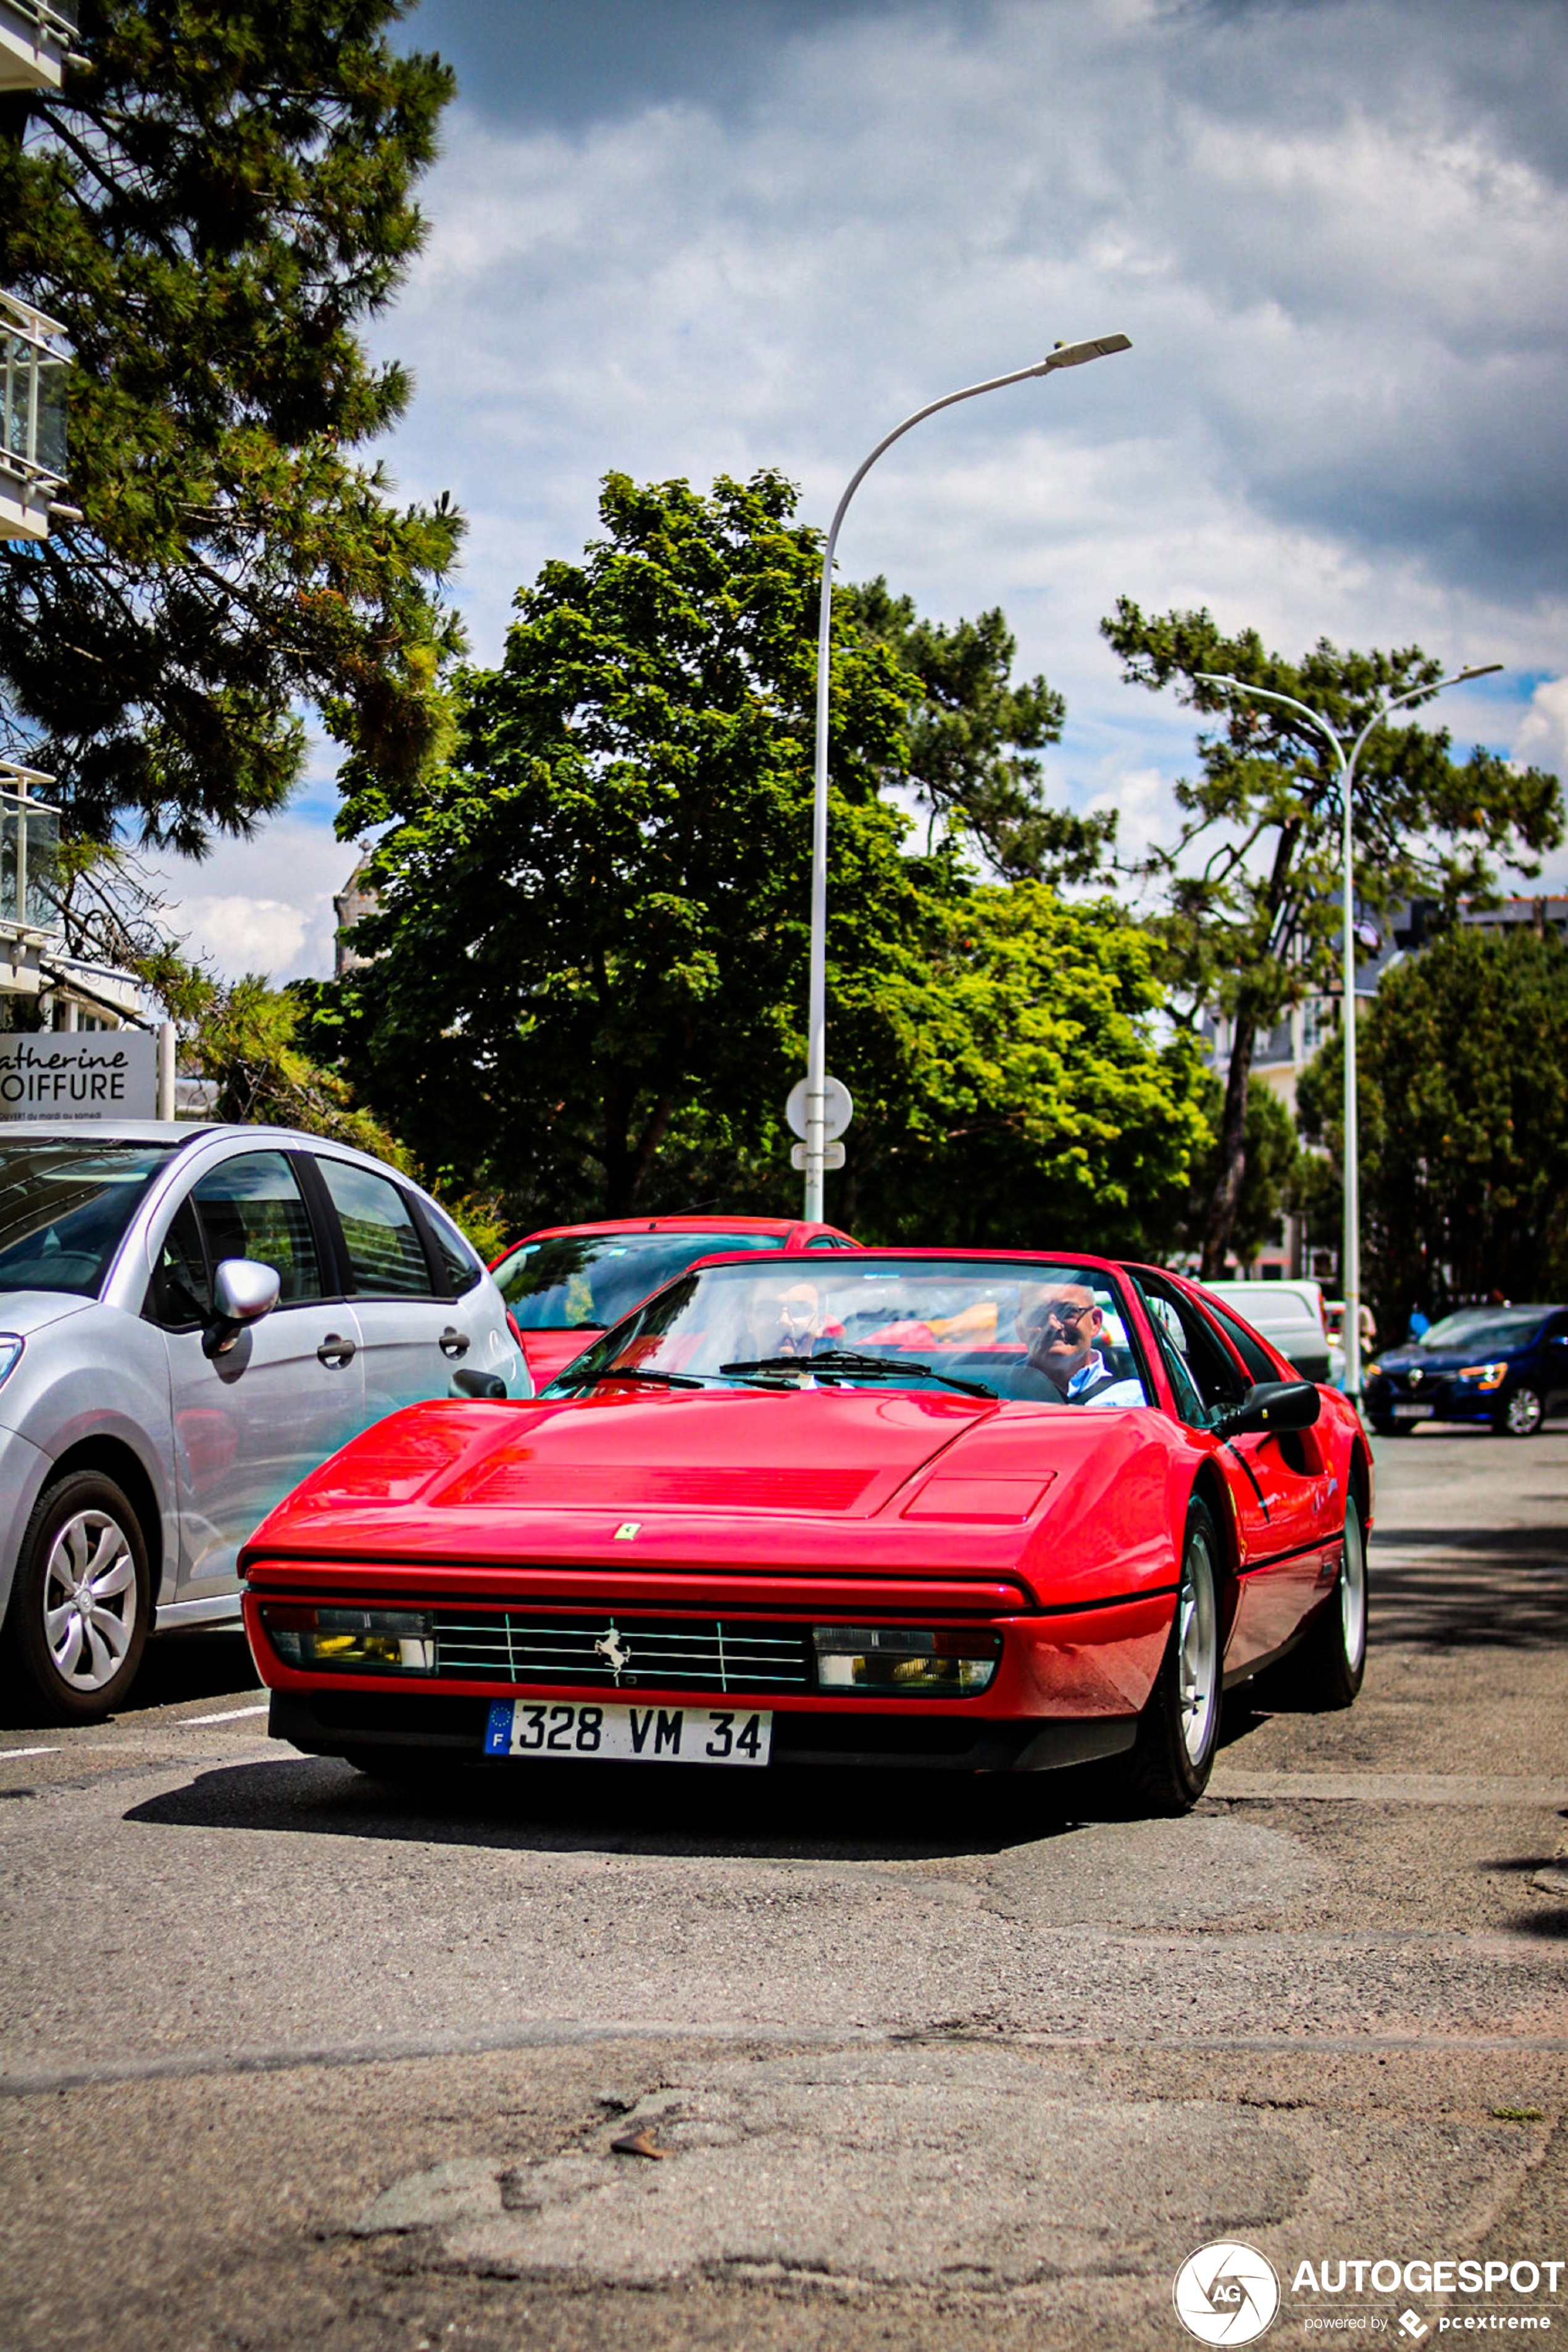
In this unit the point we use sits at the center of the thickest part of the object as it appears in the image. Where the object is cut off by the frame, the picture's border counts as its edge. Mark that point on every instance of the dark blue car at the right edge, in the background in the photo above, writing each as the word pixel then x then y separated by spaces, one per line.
pixel 1499 1365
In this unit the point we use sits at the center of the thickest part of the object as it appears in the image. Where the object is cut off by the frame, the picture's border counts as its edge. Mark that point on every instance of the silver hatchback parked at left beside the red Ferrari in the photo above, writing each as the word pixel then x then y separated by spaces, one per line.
pixel 189 1321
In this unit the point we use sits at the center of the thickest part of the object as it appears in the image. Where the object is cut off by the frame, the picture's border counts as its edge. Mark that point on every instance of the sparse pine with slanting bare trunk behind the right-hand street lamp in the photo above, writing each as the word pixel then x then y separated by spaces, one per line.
pixel 1252 883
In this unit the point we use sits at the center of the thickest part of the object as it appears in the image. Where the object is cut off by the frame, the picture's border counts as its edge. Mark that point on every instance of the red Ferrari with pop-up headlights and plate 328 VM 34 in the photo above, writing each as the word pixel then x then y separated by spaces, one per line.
pixel 956 1509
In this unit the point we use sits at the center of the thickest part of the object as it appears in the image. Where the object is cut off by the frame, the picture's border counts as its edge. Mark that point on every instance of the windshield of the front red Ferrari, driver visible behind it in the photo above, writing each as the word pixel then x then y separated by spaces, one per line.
pixel 1047 1332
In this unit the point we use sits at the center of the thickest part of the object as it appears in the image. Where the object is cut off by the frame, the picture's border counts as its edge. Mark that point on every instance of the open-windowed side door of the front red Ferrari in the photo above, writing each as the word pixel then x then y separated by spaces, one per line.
pixel 1278 1483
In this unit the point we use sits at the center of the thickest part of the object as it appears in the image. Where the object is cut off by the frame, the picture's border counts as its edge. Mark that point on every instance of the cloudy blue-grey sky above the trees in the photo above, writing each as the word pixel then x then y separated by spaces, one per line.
pixel 695 236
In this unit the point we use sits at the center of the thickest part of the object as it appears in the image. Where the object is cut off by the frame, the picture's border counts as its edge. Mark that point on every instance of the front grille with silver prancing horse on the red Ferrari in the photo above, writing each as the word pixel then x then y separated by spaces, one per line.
pixel 631 1655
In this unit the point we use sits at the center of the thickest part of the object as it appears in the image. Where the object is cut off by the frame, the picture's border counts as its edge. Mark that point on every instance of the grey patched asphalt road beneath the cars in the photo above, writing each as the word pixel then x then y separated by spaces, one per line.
pixel 293 2062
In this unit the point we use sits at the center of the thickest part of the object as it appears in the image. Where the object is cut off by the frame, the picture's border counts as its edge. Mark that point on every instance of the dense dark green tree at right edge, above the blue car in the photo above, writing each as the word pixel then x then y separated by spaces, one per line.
pixel 1463 1118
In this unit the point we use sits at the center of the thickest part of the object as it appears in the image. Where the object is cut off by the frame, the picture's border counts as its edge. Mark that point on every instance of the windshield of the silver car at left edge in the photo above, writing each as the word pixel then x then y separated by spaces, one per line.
pixel 65 1210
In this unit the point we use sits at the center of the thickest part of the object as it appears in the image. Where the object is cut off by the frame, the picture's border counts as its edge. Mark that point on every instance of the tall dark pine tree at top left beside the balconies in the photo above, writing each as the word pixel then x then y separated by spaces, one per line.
pixel 215 206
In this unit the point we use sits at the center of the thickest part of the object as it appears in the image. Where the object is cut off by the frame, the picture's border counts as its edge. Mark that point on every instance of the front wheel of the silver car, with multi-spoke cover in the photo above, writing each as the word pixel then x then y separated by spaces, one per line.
pixel 81 1605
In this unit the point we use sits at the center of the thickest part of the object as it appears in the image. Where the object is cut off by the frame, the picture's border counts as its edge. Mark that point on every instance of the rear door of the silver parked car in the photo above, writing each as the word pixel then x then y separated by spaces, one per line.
pixel 415 1339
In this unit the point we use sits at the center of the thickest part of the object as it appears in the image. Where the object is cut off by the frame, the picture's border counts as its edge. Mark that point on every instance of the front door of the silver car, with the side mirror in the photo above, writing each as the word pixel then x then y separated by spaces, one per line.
pixel 253 1422
